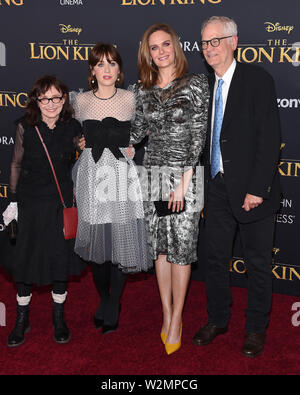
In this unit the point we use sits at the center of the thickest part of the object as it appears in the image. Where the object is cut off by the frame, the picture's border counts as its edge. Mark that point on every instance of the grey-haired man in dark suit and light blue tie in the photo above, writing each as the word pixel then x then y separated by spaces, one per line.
pixel 241 183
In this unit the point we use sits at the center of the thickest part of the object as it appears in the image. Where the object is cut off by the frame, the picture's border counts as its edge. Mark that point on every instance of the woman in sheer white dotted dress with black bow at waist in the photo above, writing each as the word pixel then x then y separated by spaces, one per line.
pixel 111 228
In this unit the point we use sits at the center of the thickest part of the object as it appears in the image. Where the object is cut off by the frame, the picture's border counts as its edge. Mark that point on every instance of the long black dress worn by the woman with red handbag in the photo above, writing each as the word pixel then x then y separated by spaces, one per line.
pixel 41 255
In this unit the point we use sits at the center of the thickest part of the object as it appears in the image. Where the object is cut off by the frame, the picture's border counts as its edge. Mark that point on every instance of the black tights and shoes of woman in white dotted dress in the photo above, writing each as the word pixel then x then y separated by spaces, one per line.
pixel 109 281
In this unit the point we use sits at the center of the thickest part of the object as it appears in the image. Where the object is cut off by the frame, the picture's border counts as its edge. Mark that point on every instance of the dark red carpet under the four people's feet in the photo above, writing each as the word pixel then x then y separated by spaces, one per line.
pixel 135 348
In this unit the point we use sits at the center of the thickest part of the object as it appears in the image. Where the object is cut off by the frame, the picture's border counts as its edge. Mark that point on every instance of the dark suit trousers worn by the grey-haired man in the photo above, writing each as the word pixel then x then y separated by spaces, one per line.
pixel 257 243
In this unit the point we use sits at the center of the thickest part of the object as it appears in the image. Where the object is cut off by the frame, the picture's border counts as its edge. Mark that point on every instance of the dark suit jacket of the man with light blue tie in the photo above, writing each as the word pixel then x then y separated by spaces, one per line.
pixel 250 142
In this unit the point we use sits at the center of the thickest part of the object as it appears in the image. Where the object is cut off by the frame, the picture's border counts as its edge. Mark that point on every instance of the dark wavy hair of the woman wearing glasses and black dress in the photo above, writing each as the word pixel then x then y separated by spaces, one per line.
pixel 40 87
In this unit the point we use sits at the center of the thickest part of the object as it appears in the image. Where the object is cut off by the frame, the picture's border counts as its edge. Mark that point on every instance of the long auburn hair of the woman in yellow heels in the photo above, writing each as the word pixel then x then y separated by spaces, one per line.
pixel 147 69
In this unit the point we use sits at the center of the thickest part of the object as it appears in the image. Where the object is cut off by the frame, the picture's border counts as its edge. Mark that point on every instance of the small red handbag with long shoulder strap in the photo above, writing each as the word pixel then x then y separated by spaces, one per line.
pixel 70 215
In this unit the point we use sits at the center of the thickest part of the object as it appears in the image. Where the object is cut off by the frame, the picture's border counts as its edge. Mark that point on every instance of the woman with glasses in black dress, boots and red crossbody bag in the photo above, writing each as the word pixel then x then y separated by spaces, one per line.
pixel 41 255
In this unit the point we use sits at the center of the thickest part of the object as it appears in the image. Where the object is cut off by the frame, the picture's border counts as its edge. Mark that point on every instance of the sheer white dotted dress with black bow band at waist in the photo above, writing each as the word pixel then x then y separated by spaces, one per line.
pixel 110 208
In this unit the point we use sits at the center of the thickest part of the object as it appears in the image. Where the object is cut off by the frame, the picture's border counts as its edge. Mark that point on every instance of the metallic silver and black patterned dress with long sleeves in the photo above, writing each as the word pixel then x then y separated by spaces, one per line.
pixel 175 118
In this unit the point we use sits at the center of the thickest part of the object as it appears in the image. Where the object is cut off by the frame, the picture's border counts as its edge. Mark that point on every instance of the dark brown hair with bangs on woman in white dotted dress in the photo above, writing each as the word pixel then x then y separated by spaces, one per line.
pixel 97 54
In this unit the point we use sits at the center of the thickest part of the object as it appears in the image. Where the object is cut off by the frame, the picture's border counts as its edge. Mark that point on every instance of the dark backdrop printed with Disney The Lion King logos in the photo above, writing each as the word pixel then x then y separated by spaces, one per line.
pixel 55 36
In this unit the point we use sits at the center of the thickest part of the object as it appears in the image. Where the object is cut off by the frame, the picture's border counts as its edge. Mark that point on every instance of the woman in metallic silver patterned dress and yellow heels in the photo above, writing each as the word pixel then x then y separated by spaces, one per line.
pixel 171 107
